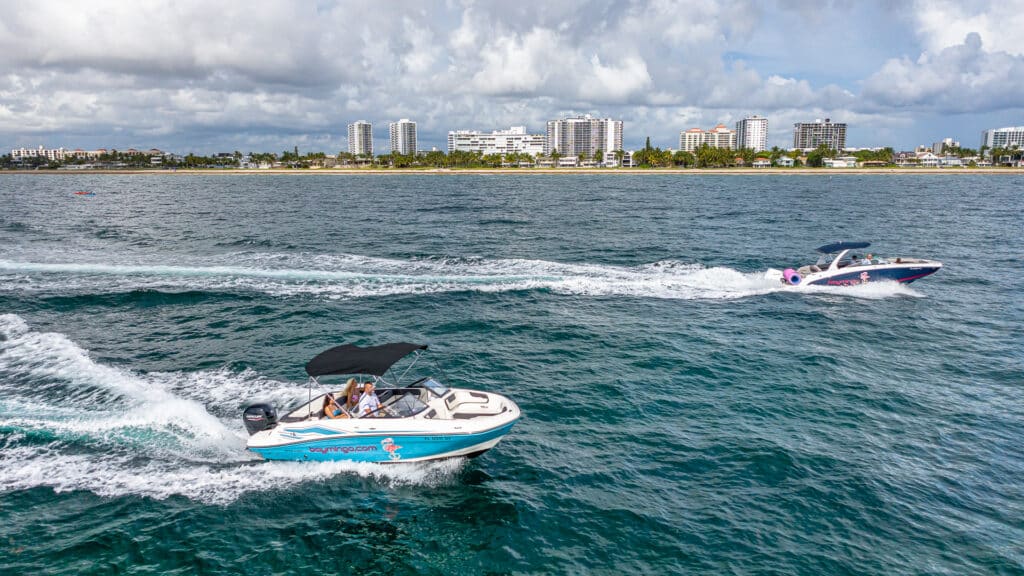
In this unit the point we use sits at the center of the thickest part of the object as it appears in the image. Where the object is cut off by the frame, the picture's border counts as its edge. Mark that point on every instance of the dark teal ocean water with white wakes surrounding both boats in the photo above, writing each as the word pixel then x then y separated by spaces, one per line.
pixel 681 414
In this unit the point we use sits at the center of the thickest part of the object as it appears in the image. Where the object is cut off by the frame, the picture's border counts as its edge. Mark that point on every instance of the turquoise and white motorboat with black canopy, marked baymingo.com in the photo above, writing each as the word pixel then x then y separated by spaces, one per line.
pixel 422 421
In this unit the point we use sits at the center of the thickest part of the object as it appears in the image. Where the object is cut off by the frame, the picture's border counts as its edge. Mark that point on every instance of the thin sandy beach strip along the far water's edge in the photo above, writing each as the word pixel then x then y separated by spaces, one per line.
pixel 537 172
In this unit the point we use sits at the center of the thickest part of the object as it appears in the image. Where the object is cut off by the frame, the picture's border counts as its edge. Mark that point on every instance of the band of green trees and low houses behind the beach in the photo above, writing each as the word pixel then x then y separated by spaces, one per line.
pixel 647 159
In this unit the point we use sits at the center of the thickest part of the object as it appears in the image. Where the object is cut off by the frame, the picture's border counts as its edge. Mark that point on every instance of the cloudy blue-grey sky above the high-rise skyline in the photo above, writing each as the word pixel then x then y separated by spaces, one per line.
pixel 261 76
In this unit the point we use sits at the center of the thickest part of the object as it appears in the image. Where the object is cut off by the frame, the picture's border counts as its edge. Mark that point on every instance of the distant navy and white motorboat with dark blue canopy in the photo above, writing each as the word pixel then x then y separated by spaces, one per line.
pixel 841 265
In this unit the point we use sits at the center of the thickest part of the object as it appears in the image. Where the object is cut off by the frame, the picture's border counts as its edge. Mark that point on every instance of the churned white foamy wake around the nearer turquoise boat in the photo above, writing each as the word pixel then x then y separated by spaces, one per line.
pixel 69 424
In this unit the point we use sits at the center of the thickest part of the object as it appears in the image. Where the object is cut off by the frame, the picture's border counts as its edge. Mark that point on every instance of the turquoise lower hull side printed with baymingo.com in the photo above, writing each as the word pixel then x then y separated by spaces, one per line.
pixel 380 448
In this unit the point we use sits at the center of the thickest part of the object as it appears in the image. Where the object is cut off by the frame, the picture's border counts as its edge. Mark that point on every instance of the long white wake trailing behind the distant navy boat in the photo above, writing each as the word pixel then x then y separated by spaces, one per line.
pixel 348 277
